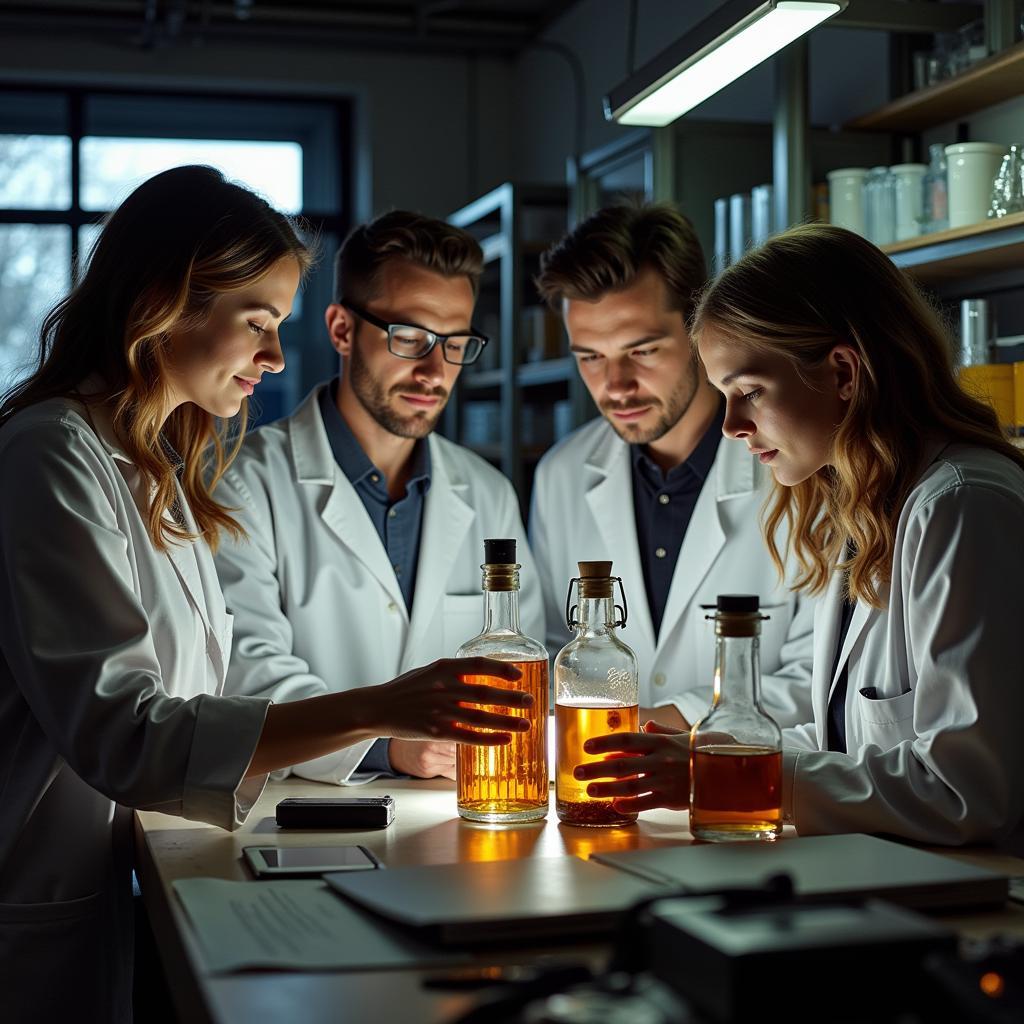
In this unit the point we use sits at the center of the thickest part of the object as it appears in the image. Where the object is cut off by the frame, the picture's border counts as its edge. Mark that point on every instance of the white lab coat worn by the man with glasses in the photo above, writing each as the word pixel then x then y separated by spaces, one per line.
pixel 317 605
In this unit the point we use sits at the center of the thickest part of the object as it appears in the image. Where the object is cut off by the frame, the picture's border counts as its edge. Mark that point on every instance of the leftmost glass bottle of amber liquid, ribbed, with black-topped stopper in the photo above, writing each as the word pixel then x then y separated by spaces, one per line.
pixel 506 784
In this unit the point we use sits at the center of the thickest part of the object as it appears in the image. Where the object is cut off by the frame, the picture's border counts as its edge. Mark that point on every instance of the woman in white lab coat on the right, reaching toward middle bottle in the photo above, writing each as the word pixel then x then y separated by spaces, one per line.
pixel 906 503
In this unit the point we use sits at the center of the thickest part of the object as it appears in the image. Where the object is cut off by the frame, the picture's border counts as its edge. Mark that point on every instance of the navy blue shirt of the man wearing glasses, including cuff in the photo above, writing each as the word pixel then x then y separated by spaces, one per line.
pixel 398 524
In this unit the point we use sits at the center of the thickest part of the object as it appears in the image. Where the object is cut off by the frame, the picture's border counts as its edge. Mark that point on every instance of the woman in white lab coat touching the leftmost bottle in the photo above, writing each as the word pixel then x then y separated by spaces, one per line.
pixel 114 636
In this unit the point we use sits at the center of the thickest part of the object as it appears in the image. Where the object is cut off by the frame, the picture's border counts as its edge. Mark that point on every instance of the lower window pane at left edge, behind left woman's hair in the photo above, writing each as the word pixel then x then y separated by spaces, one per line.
pixel 35 268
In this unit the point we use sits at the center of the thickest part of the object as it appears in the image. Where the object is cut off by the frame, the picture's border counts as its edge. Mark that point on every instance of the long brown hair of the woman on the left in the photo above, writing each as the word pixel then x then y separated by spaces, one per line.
pixel 180 240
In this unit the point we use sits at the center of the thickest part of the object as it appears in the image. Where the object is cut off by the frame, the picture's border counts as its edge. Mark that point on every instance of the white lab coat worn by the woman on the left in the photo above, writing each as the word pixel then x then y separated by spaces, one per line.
pixel 112 653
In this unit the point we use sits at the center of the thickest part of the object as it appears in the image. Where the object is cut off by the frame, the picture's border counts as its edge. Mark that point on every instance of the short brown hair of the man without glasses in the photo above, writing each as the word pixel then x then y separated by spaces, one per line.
pixel 609 250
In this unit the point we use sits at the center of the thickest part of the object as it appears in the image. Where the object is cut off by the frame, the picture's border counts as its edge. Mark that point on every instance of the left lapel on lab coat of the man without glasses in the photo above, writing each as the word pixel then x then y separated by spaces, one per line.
pixel 611 501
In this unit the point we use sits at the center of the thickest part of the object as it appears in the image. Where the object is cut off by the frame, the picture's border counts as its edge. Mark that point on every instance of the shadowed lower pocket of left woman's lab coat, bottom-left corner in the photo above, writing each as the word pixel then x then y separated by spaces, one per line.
pixel 54 958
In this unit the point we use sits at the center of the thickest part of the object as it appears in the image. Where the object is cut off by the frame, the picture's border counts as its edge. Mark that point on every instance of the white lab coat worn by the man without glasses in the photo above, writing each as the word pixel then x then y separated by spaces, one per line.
pixel 583 509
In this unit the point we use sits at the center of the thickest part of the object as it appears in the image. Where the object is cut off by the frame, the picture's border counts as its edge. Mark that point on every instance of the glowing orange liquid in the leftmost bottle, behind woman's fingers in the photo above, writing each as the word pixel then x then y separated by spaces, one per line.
pixel 509 784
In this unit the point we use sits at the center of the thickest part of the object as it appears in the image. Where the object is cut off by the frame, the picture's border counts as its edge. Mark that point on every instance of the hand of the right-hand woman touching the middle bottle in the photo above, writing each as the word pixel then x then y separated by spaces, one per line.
pixel 648 770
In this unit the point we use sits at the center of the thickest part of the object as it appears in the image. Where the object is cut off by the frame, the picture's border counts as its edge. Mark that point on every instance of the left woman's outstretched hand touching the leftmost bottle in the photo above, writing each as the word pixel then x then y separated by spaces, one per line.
pixel 435 703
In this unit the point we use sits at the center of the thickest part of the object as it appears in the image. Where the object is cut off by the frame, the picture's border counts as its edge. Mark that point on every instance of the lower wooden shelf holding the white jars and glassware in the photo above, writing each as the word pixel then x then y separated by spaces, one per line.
pixel 962 252
